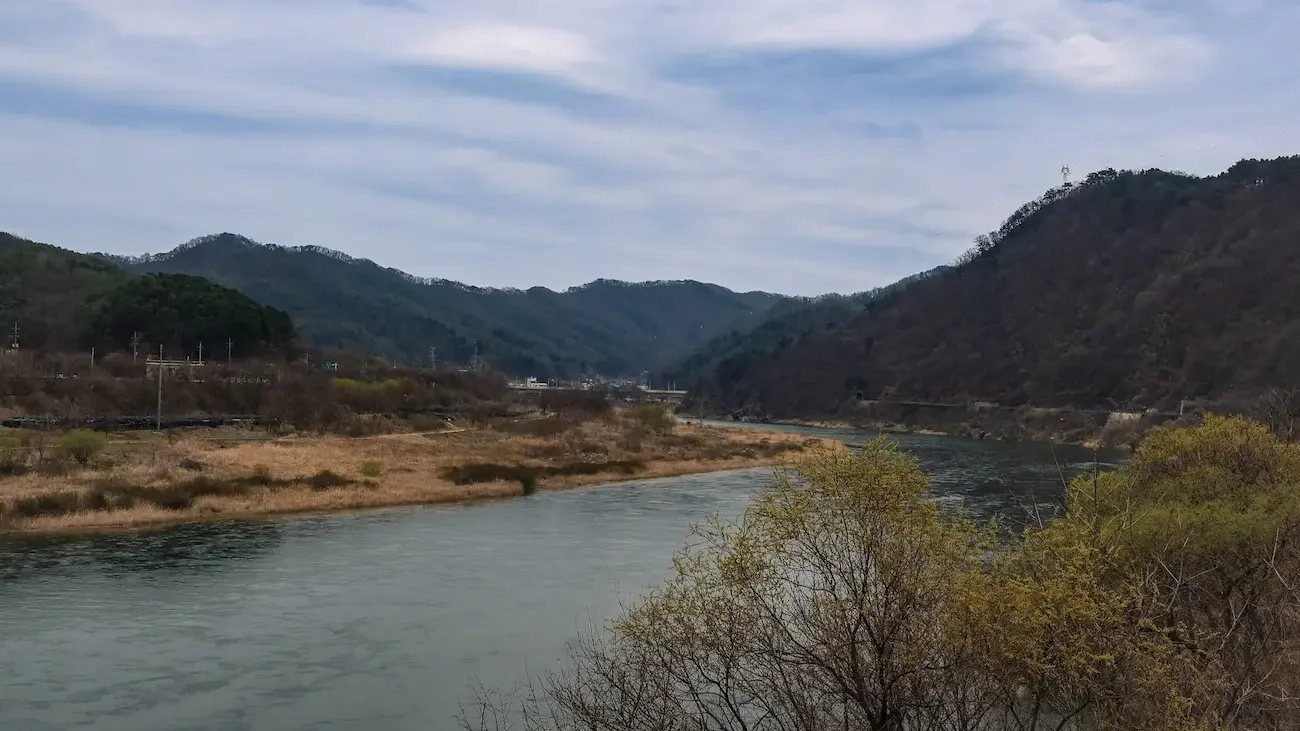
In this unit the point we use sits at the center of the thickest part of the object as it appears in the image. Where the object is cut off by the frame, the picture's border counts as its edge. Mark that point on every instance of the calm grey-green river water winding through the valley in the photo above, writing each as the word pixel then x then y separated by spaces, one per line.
pixel 378 621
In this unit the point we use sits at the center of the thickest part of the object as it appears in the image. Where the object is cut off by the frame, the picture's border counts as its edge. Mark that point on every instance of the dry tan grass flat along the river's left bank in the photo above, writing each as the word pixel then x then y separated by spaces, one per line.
pixel 159 482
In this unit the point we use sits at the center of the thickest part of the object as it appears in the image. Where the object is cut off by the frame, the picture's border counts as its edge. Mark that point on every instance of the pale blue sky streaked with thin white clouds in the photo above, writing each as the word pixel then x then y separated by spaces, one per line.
pixel 794 146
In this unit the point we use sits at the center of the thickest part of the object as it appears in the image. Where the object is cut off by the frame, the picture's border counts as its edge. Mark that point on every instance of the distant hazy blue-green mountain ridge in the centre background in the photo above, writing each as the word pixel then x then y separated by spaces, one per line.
pixel 605 327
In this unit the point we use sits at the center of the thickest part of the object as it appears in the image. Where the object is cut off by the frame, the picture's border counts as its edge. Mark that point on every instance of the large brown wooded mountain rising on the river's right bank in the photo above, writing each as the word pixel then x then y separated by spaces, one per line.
pixel 1132 289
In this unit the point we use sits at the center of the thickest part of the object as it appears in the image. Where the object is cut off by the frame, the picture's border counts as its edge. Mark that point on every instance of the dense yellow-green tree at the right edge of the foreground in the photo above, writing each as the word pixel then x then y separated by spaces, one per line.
pixel 1202 531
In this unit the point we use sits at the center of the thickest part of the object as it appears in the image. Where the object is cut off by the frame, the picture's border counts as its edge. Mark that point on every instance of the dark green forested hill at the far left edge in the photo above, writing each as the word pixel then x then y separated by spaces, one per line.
pixel 63 301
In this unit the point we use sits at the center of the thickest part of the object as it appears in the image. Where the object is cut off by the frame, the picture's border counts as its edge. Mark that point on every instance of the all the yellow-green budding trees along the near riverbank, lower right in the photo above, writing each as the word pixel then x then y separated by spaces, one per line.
pixel 1163 598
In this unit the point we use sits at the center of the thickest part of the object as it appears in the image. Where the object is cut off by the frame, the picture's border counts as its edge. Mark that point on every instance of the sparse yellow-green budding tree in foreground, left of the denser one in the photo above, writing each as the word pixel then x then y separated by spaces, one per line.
pixel 829 605
